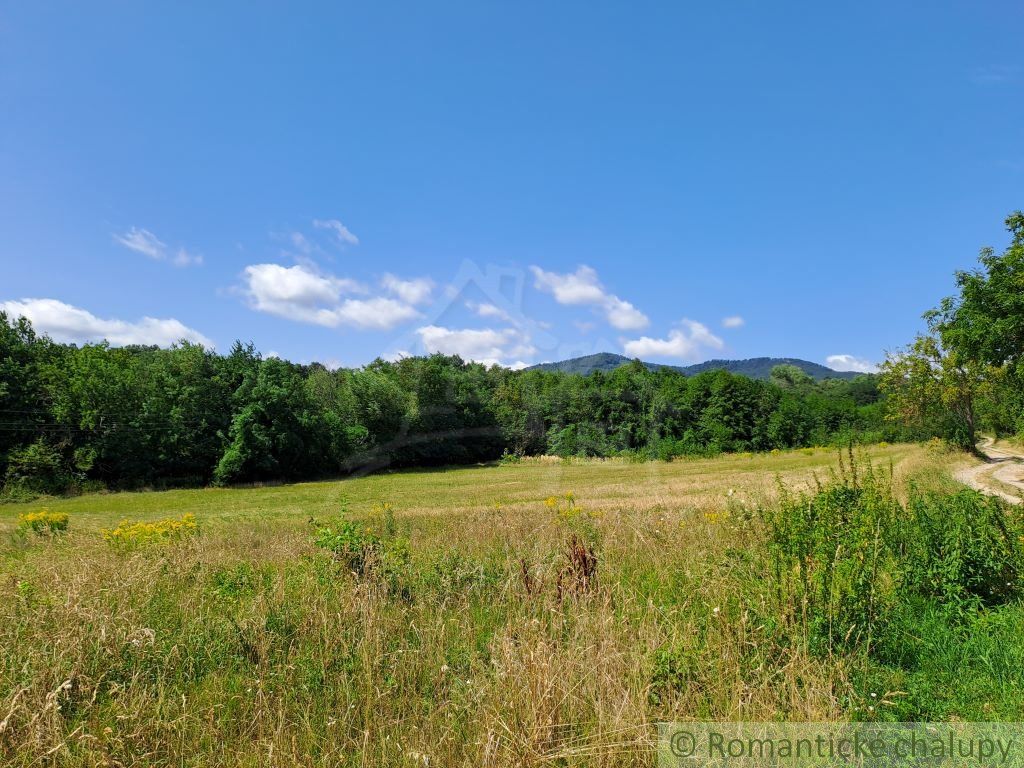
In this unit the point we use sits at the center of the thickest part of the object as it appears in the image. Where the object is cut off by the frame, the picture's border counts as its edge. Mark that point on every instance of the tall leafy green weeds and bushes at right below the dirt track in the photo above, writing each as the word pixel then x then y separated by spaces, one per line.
pixel 850 564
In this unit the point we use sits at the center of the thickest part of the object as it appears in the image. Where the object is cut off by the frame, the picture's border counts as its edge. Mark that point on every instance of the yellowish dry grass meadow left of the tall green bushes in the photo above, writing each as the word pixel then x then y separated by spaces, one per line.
pixel 246 646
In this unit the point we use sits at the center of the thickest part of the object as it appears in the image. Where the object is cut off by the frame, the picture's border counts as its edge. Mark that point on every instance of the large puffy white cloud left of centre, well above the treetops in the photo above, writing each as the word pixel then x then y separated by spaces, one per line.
pixel 300 293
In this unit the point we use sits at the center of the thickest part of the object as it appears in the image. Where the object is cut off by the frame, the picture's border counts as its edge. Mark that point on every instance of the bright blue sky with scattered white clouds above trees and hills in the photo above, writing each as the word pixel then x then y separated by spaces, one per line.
pixel 514 182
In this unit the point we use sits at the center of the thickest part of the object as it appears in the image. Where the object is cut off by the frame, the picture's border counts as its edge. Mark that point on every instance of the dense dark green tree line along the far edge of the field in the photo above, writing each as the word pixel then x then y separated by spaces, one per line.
pixel 75 417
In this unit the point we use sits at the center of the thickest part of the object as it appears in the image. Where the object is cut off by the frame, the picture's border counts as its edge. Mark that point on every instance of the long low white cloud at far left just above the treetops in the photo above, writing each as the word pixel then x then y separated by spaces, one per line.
pixel 73 325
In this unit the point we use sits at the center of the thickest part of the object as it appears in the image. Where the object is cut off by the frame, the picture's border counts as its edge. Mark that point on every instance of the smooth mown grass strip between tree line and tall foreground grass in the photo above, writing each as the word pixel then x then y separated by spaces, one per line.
pixel 459 491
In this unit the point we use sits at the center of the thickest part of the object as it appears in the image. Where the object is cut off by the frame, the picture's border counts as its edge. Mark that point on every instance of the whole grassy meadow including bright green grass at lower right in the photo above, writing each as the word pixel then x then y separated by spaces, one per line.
pixel 544 613
